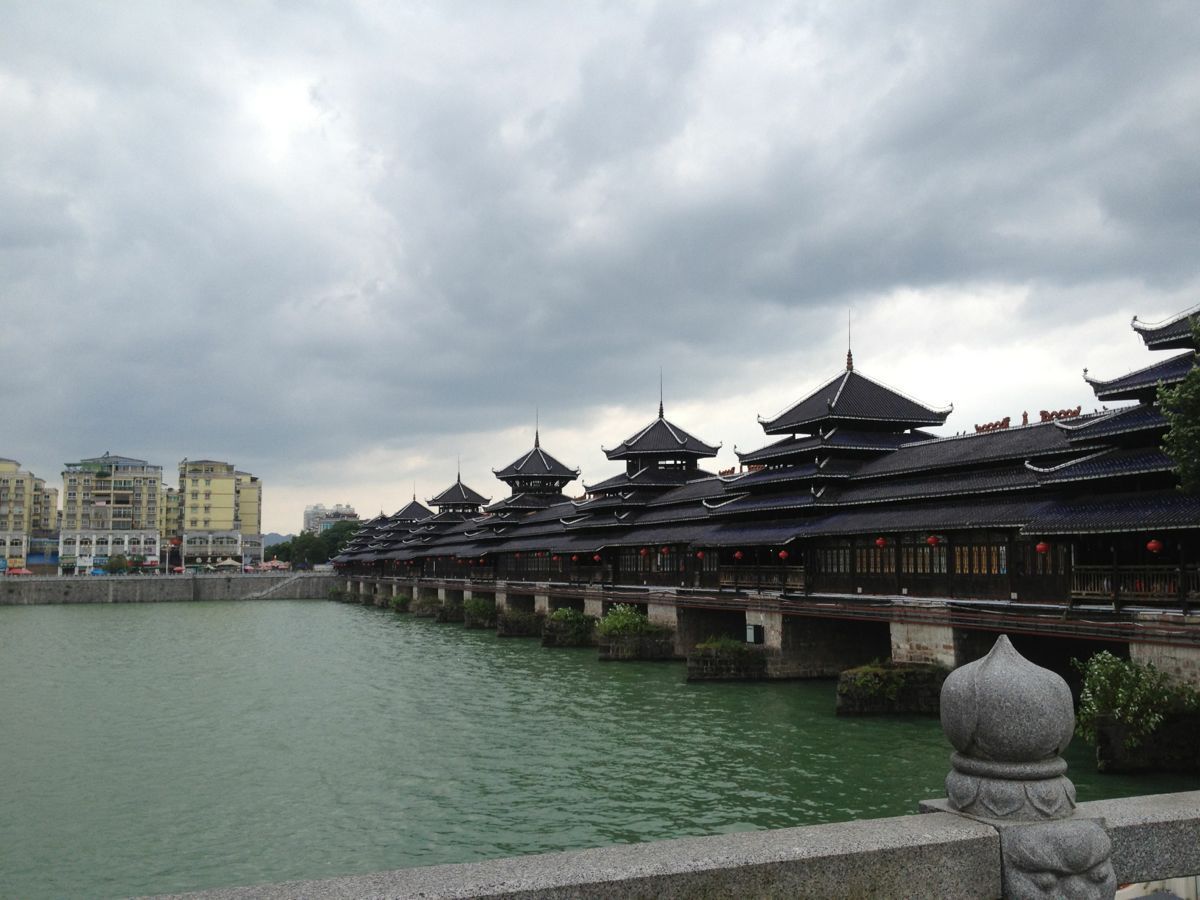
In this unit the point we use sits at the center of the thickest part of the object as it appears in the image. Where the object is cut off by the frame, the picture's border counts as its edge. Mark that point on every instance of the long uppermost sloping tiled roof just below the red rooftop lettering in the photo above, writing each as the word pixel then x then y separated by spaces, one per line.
pixel 1019 445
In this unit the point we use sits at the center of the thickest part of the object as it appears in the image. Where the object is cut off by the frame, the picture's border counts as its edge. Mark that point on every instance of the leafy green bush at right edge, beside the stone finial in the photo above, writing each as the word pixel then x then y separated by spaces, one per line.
pixel 1130 694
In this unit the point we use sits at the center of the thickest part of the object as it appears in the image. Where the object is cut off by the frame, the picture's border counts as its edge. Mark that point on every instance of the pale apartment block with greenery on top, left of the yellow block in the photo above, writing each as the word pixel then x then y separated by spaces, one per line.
pixel 111 507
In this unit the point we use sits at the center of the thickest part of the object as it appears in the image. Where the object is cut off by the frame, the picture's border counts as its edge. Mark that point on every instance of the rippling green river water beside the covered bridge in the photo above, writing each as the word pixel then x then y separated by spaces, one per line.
pixel 176 747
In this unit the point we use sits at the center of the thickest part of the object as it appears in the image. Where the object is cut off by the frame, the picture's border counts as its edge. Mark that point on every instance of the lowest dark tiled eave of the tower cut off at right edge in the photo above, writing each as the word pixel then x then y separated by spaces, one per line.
pixel 1118 513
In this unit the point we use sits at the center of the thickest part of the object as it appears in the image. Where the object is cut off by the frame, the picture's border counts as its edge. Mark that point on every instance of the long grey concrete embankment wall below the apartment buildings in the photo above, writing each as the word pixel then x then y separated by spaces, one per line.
pixel 32 591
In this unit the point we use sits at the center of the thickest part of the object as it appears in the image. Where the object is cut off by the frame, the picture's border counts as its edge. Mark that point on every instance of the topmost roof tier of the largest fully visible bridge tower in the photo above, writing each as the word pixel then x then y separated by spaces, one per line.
pixel 853 398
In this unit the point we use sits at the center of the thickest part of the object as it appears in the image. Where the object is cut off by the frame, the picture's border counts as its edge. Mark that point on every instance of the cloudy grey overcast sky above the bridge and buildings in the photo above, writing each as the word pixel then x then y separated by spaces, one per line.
pixel 344 244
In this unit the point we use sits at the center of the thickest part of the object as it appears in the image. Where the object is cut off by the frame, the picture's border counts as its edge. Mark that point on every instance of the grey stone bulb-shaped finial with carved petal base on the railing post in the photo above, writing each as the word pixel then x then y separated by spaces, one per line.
pixel 1010 723
